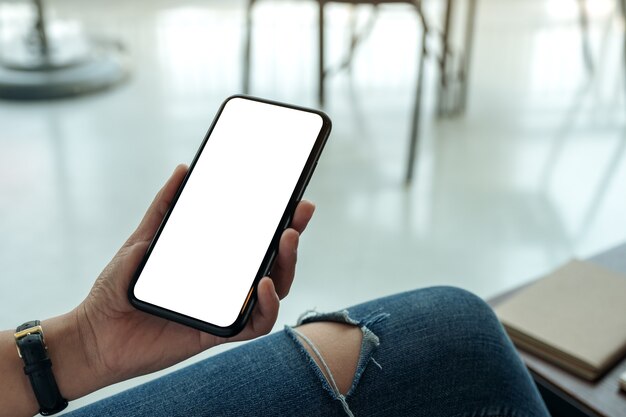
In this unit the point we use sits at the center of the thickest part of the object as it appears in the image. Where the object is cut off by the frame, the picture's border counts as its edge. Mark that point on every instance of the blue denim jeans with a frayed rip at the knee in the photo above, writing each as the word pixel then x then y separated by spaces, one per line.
pixel 433 352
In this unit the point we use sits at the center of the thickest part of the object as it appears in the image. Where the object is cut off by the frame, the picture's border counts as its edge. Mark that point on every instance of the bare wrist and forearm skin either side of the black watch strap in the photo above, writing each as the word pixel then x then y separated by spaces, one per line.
pixel 71 369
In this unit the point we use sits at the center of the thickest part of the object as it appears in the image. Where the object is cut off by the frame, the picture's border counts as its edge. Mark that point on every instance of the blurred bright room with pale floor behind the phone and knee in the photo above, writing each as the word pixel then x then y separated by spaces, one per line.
pixel 519 164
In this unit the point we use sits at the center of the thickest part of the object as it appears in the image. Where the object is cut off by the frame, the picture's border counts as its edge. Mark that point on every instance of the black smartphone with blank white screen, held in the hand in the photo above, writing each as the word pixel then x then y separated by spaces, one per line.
pixel 221 233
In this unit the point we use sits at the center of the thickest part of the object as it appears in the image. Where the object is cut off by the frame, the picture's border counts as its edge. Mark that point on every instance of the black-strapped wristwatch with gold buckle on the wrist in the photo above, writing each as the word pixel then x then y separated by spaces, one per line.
pixel 37 365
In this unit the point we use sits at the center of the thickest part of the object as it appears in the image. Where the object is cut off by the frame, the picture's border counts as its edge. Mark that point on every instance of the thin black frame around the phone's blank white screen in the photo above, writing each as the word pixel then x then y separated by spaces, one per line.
pixel 270 254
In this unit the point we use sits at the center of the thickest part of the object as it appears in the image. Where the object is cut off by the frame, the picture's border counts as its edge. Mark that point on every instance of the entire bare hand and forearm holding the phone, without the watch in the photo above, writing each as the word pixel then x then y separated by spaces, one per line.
pixel 105 340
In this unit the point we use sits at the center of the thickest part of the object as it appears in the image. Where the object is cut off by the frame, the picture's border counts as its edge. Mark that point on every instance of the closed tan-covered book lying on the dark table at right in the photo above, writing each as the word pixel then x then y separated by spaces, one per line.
pixel 575 318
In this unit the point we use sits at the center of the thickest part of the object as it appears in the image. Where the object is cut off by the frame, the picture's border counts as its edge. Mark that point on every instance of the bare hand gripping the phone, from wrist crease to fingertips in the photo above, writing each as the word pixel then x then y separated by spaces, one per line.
pixel 122 342
